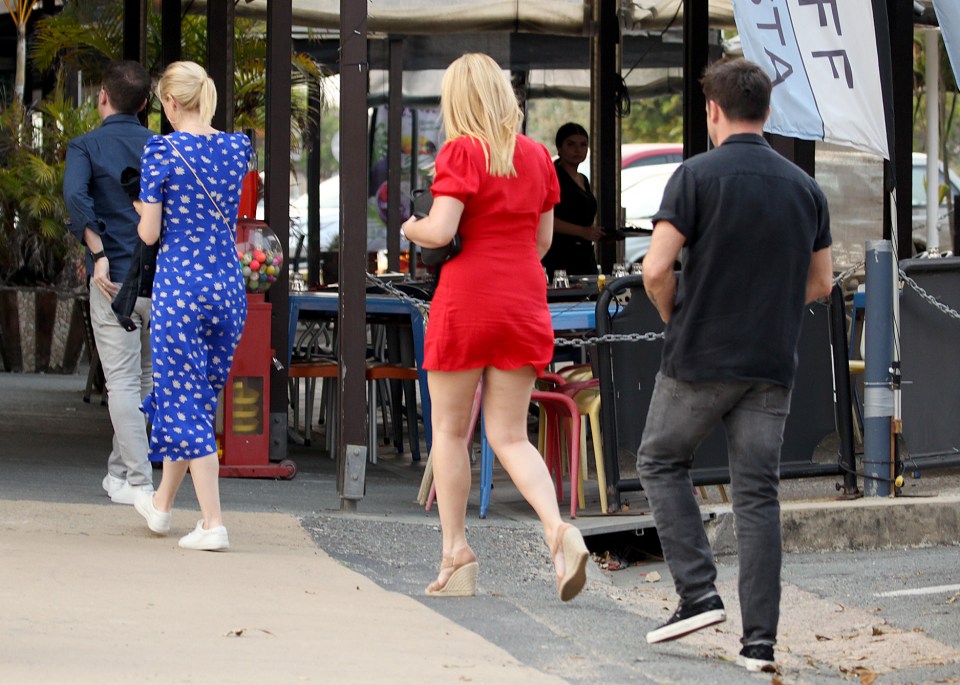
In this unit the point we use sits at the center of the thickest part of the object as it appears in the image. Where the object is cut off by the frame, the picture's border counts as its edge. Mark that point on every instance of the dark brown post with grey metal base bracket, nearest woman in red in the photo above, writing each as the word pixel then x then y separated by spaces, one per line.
pixel 352 319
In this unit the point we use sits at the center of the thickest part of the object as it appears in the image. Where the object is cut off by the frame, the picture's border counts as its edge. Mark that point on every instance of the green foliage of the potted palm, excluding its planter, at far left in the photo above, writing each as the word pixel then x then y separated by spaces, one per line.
pixel 35 248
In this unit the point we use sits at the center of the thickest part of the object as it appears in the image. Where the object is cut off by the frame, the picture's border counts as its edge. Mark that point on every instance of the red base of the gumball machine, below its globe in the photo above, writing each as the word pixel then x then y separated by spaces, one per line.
pixel 245 437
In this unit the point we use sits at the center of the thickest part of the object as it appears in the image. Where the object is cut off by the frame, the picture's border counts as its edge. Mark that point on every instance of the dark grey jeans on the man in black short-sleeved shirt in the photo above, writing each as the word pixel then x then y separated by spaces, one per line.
pixel 754 413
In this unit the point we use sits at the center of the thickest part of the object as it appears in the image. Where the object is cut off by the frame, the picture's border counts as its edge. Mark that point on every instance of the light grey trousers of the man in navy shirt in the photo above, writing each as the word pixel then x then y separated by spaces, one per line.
pixel 128 370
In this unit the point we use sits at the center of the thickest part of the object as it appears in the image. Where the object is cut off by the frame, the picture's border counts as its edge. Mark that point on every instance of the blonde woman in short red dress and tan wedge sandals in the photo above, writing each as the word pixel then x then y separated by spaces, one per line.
pixel 489 318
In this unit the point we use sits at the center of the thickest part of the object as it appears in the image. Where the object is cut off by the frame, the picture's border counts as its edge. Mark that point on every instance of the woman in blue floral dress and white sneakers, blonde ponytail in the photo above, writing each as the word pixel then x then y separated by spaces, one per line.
pixel 189 191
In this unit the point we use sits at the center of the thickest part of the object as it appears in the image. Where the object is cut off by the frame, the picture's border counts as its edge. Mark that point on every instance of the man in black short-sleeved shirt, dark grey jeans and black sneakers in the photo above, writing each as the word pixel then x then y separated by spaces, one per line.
pixel 757 235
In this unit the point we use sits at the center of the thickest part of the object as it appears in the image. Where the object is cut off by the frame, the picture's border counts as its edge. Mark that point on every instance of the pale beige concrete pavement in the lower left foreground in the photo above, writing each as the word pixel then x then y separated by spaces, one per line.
pixel 88 595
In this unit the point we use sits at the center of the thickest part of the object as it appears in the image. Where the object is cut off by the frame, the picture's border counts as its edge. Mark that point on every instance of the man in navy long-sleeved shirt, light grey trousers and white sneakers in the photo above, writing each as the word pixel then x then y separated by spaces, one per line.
pixel 103 218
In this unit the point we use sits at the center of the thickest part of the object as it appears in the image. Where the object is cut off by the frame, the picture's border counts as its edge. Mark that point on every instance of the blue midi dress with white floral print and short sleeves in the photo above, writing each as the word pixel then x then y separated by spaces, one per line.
pixel 199 302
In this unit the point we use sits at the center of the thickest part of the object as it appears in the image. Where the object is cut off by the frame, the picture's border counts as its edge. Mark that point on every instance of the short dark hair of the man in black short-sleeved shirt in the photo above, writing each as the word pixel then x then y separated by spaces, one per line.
pixel 740 87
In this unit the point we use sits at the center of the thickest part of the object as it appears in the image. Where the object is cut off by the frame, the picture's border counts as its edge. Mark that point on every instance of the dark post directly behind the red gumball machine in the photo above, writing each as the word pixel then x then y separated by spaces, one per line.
pixel 277 203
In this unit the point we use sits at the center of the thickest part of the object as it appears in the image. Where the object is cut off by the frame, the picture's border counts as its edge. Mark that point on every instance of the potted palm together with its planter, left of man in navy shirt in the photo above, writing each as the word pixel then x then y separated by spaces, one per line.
pixel 41 265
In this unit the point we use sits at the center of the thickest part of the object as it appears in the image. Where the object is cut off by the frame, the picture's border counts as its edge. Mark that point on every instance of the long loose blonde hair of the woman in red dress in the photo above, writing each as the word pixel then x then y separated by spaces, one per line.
pixel 478 101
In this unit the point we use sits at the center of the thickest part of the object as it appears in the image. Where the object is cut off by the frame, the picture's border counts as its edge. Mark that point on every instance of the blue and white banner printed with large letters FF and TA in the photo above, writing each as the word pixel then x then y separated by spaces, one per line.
pixel 822 58
